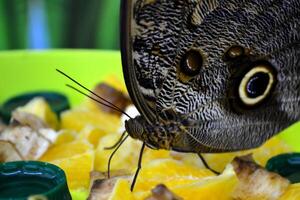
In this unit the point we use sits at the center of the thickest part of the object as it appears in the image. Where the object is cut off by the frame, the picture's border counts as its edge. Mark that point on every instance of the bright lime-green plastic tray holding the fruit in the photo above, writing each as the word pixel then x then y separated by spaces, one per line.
pixel 24 71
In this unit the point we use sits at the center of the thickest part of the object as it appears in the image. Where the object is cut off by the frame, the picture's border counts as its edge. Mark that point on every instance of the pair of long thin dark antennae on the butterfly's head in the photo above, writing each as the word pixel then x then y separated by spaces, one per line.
pixel 108 104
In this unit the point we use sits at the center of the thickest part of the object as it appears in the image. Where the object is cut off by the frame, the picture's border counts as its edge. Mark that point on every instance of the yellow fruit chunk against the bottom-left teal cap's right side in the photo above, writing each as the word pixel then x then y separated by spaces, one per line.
pixel 77 169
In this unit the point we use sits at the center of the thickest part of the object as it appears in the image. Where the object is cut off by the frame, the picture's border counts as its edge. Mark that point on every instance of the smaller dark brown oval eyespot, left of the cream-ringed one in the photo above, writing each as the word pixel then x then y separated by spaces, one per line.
pixel 191 63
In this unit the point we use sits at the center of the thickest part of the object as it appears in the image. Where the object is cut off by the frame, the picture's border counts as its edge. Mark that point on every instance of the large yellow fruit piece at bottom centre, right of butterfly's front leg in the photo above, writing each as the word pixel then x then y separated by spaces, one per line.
pixel 195 184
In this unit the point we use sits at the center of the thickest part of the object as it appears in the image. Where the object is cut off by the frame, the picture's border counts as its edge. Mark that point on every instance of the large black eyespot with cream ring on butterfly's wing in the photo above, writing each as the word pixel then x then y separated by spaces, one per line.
pixel 256 85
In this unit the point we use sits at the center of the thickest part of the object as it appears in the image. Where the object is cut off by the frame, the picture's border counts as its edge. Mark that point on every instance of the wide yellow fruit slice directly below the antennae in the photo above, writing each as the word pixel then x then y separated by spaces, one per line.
pixel 79 118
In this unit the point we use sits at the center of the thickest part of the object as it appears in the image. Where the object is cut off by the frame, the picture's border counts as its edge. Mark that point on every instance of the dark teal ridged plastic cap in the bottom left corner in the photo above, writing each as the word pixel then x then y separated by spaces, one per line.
pixel 24 179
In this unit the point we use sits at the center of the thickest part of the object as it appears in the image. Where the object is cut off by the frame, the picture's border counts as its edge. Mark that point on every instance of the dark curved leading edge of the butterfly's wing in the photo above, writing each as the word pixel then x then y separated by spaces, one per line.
pixel 129 71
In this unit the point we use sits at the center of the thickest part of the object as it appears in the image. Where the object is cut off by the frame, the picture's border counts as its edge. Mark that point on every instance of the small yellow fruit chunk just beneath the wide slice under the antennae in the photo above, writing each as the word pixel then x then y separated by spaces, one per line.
pixel 92 134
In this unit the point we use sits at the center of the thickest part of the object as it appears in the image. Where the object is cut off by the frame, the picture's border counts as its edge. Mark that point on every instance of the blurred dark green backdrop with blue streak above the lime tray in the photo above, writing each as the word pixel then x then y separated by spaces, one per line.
pixel 42 24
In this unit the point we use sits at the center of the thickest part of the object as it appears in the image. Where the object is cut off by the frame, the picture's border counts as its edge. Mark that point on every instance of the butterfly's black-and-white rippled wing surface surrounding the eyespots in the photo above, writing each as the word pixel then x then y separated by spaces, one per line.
pixel 162 31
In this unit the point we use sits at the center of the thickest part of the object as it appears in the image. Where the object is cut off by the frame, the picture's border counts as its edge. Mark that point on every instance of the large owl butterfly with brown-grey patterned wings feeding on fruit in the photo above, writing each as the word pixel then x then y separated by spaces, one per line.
pixel 211 75
